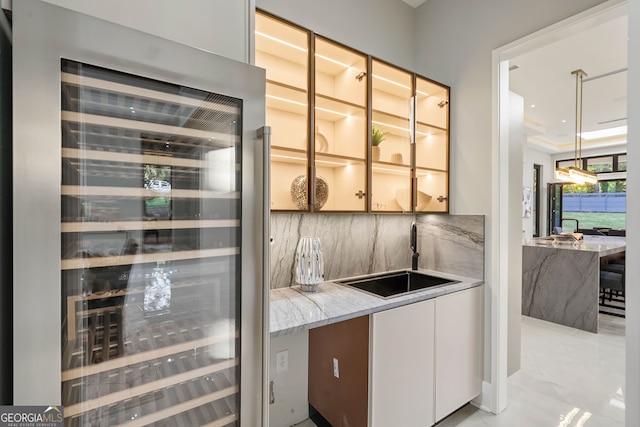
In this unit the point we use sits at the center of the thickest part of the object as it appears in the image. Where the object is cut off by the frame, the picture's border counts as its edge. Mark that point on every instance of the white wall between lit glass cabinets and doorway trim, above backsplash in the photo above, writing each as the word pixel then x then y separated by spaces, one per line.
pixel 455 39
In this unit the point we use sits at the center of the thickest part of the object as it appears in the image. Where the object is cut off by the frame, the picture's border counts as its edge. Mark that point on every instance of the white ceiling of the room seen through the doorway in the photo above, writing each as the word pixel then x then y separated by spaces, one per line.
pixel 543 77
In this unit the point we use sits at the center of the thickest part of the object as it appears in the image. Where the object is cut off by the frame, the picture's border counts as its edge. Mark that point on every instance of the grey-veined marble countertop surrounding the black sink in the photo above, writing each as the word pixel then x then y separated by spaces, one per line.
pixel 292 309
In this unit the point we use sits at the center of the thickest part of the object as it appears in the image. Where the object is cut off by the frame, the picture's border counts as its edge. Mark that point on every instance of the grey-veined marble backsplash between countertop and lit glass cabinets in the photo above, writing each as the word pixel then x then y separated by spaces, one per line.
pixel 355 244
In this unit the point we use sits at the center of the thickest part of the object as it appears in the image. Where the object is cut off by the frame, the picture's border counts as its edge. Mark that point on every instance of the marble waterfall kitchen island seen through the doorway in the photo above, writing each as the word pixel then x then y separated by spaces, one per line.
pixel 560 281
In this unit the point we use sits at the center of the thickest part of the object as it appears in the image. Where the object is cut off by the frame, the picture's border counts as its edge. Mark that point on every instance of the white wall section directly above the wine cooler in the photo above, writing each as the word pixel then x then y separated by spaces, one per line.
pixel 219 26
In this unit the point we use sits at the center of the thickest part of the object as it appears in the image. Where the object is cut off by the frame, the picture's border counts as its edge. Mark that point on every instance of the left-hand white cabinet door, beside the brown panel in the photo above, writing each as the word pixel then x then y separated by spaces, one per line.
pixel 402 361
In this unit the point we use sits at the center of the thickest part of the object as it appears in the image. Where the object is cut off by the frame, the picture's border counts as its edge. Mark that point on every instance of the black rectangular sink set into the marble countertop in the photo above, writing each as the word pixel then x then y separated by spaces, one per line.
pixel 387 285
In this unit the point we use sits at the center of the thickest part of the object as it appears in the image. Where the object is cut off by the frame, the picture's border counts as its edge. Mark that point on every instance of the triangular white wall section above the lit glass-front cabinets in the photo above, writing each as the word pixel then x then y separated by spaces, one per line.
pixel 382 28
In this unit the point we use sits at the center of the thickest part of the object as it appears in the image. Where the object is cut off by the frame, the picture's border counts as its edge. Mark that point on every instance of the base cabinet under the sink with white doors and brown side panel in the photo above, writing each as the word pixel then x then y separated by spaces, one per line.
pixel 424 362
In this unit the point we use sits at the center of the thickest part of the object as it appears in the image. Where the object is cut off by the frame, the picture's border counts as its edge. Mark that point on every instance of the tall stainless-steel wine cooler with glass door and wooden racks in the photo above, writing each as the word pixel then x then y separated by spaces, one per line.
pixel 139 205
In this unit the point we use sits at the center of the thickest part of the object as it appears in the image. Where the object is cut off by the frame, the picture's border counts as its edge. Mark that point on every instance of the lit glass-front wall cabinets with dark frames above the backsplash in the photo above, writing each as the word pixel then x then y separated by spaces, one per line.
pixel 323 100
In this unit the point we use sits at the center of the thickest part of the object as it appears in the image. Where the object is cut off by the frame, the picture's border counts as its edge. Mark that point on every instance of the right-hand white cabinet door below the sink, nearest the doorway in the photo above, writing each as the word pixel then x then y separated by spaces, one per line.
pixel 458 349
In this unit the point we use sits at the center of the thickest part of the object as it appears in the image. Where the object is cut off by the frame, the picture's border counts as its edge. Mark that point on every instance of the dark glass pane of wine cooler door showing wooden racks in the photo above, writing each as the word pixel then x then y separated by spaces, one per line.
pixel 150 250
